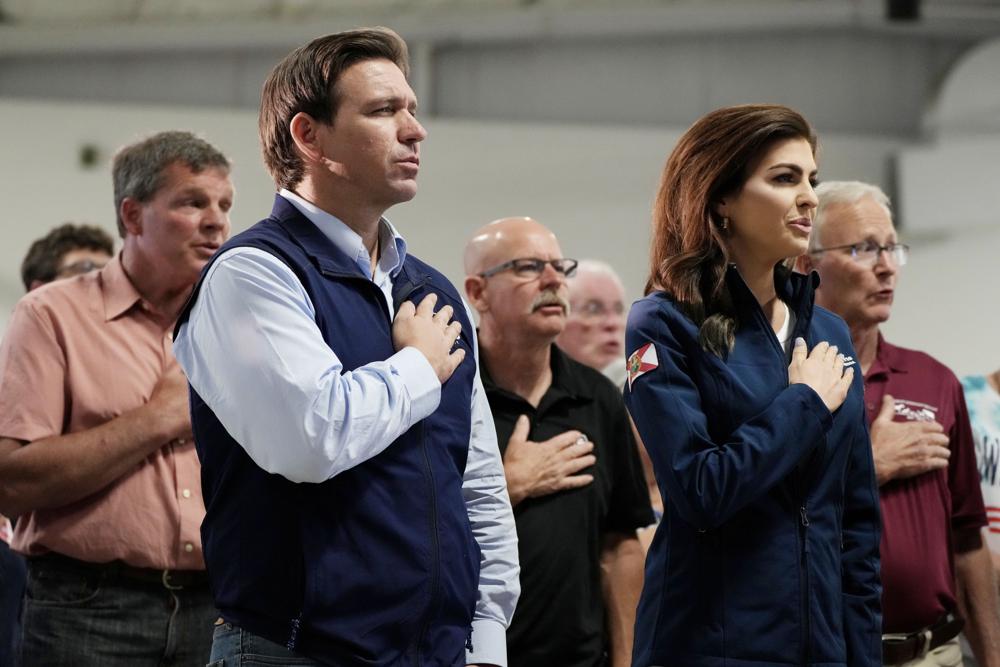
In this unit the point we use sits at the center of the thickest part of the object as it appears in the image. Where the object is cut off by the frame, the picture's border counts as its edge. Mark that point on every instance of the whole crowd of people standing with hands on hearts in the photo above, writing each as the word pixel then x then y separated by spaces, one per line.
pixel 294 446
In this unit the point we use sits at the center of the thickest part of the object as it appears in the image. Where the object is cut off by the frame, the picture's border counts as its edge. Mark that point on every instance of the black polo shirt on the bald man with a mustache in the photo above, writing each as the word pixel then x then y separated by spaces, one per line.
pixel 560 616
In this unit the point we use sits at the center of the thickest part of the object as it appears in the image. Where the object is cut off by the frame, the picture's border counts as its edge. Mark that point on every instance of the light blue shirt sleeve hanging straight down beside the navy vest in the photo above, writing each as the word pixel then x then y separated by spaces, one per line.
pixel 484 488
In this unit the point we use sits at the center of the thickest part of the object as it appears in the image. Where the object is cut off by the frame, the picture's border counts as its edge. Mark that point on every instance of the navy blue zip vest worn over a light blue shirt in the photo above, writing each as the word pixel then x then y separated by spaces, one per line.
pixel 377 565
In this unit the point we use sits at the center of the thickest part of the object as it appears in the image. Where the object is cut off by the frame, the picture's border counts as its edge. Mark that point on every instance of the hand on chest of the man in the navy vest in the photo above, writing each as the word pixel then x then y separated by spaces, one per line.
pixel 433 334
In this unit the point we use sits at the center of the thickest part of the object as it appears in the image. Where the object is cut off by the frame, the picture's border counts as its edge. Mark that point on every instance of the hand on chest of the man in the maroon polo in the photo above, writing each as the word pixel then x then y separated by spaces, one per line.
pixel 906 449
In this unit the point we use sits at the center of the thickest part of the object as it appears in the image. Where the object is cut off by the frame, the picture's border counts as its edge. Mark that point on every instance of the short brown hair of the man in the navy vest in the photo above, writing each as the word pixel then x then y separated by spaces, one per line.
pixel 306 81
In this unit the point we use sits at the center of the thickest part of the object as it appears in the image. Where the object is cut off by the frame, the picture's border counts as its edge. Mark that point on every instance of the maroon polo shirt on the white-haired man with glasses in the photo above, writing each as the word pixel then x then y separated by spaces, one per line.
pixel 920 515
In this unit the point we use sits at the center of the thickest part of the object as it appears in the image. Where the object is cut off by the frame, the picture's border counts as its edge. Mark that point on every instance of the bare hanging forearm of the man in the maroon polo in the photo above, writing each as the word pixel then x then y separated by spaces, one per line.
pixel 978 603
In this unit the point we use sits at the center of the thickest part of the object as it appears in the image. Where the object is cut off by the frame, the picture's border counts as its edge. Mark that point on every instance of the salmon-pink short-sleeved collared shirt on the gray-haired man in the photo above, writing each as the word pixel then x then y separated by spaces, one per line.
pixel 77 353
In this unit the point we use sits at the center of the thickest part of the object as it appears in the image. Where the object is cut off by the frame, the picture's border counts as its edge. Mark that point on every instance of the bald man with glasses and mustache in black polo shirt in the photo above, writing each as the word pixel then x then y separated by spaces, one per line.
pixel 571 465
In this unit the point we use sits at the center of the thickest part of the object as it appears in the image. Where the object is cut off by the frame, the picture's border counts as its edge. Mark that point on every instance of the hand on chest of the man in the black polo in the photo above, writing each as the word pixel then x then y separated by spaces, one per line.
pixel 540 468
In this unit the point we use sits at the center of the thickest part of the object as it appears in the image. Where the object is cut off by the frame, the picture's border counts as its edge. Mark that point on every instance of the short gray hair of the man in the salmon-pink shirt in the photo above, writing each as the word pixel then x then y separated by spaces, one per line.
pixel 137 169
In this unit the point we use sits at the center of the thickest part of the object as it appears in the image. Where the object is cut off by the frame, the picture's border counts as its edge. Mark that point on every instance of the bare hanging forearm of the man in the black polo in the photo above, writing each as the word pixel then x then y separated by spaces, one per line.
pixel 621 583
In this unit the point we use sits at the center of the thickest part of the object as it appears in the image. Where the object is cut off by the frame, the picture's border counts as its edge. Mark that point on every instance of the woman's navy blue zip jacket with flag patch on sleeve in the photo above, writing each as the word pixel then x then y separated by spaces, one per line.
pixel 768 549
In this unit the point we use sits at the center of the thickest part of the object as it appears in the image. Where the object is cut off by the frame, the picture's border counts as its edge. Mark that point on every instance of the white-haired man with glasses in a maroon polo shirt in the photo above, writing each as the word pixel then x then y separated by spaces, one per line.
pixel 936 568
